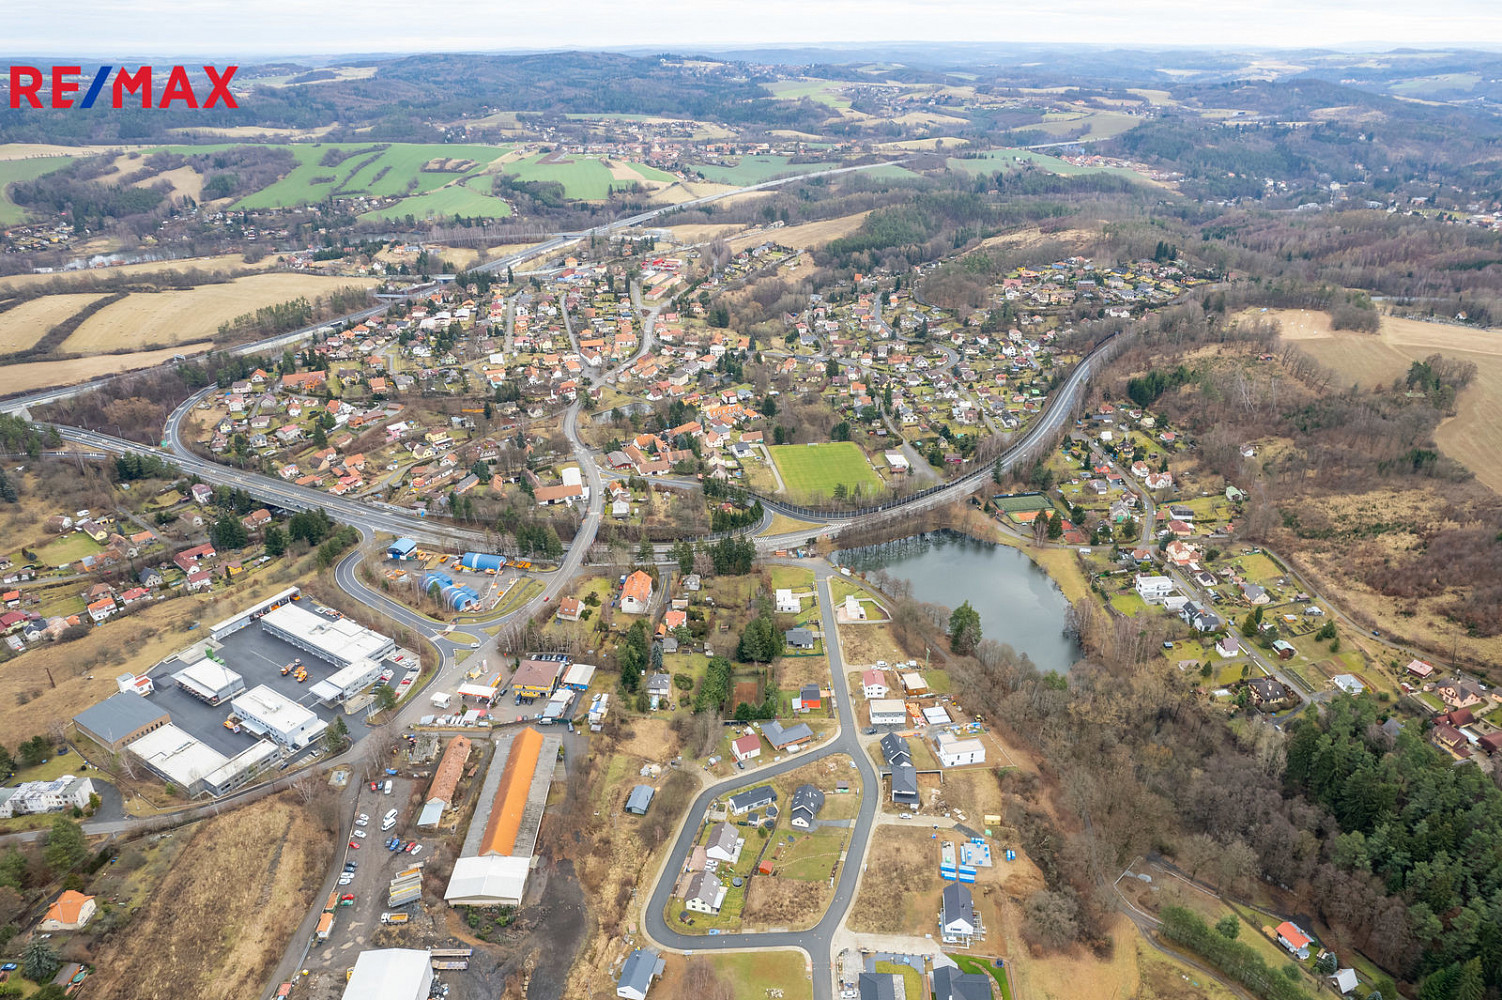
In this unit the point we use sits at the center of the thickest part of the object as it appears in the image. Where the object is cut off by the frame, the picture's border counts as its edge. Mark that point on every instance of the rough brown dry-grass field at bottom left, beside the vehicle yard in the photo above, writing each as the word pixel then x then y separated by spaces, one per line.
pixel 214 936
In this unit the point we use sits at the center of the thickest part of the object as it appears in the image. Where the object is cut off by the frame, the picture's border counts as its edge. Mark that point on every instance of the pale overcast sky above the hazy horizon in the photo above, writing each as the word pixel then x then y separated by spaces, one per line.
pixel 249 29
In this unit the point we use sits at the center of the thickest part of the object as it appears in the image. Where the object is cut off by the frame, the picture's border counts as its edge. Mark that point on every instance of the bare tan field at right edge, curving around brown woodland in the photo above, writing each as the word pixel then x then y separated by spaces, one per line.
pixel 1474 435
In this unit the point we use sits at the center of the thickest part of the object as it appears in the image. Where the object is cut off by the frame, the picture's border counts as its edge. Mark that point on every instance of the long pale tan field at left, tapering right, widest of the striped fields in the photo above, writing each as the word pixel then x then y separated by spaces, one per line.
pixel 176 318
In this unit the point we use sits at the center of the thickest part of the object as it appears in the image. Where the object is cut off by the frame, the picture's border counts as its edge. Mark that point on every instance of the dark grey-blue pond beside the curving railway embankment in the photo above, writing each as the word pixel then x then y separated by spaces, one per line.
pixel 1019 604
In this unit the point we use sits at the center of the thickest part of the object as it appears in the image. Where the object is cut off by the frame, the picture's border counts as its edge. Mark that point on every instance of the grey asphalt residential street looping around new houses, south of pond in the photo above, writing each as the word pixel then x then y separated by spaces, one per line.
pixel 819 941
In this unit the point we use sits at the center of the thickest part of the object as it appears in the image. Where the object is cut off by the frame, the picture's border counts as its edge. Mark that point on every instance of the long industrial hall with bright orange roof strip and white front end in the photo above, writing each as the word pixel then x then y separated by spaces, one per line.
pixel 496 858
